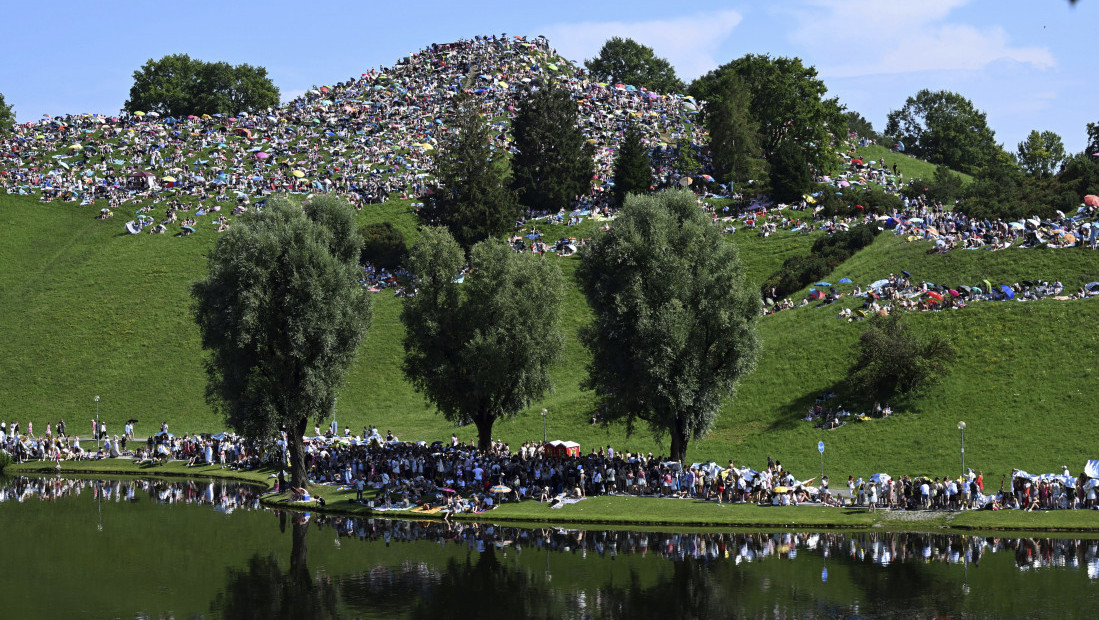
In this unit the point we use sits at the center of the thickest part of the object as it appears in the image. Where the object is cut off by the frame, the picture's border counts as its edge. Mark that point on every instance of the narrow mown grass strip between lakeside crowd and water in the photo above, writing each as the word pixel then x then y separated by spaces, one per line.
pixel 624 512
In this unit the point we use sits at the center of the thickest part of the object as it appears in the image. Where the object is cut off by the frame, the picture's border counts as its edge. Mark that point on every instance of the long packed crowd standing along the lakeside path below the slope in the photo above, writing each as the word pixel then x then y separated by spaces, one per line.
pixel 452 478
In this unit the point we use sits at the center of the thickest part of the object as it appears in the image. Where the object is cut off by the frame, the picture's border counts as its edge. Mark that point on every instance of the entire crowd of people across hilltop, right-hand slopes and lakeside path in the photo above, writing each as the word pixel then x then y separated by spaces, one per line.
pixel 371 139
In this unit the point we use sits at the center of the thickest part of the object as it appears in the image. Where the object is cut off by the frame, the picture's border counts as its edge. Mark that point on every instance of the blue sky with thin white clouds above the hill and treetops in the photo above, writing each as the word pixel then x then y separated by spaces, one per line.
pixel 1029 64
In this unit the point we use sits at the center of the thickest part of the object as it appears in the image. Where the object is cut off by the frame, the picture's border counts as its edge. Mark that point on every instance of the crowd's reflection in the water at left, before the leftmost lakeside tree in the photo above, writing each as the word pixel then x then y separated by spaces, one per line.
pixel 224 497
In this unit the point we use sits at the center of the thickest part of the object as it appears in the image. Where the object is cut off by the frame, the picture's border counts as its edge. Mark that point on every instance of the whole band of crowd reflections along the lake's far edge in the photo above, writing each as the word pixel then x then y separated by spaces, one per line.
pixel 878 548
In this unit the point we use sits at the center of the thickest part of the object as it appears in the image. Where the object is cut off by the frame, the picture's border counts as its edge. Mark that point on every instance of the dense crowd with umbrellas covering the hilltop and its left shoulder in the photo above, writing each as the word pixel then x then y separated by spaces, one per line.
pixel 368 139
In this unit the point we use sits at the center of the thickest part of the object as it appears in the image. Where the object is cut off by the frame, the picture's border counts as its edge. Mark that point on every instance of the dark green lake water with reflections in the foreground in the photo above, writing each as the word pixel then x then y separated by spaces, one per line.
pixel 138 549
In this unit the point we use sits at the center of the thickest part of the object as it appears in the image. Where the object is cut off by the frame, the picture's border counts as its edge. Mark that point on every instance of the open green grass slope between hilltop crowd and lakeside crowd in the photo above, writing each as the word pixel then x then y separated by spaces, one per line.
pixel 91 311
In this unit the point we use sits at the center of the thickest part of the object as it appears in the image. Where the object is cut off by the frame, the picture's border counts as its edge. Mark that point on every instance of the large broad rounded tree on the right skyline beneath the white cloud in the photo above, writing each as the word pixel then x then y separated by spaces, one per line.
pixel 945 128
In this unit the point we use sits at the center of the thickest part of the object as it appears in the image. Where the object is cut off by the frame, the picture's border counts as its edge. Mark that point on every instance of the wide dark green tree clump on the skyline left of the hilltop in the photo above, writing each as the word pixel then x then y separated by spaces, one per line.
pixel 177 85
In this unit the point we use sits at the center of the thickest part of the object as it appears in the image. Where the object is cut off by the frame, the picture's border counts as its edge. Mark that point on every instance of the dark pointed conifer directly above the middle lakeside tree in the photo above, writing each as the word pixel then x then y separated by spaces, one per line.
pixel 471 197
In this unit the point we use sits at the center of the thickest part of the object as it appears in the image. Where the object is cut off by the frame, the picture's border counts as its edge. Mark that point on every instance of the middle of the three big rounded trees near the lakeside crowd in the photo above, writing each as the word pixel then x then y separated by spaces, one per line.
pixel 481 350
